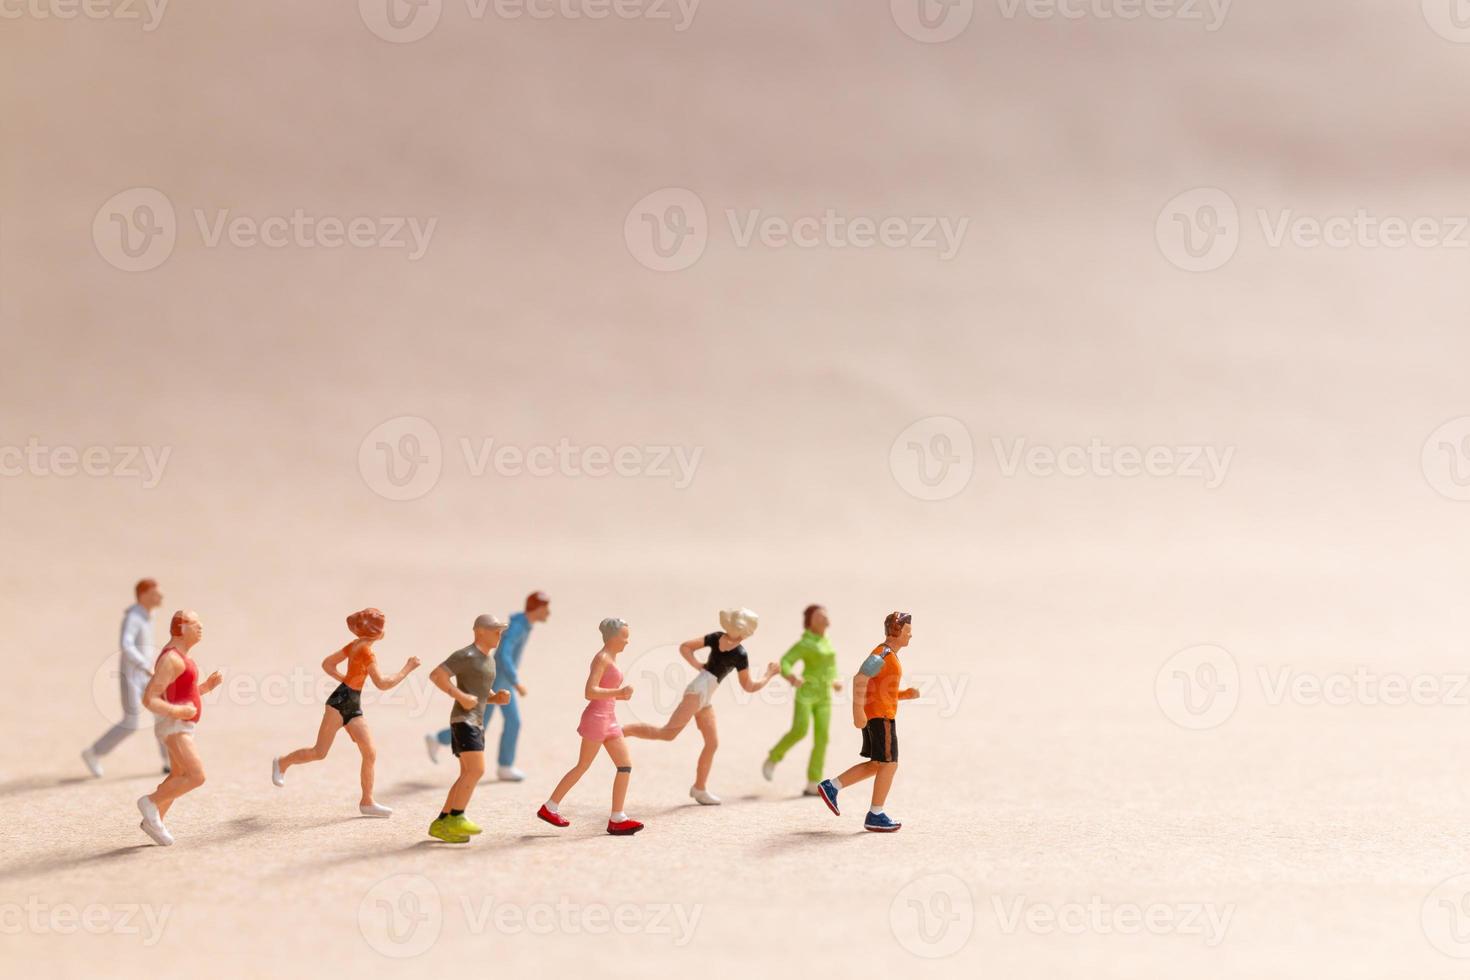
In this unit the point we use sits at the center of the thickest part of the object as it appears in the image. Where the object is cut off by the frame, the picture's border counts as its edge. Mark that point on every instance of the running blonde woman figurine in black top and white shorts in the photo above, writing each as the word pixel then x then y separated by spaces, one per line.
pixel 727 655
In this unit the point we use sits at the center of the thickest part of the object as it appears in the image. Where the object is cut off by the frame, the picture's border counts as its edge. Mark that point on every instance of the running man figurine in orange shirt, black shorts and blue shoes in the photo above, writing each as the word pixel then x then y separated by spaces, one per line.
pixel 875 709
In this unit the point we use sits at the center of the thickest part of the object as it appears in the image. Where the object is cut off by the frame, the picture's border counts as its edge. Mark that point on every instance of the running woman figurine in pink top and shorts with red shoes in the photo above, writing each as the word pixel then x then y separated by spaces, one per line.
pixel 600 731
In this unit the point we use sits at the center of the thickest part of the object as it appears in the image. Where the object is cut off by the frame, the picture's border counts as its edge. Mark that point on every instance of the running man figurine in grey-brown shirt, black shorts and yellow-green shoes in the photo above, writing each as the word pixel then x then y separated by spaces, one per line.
pixel 470 678
